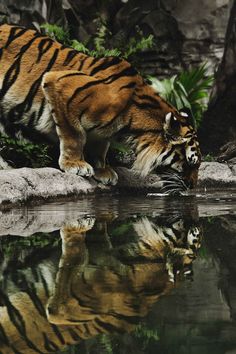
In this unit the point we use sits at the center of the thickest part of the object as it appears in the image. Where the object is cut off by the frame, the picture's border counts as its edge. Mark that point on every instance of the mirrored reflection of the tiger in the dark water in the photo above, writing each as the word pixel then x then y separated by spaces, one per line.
pixel 106 281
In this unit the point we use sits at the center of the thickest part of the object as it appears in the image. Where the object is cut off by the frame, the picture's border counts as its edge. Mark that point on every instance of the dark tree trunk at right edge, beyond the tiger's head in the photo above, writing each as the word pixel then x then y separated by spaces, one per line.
pixel 219 123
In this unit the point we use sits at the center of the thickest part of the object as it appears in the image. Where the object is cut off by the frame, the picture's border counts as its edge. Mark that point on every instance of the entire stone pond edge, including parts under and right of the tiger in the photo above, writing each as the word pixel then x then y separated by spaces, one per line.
pixel 19 186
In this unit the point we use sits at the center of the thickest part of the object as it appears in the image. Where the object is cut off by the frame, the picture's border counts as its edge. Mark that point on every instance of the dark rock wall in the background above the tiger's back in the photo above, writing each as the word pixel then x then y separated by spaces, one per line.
pixel 186 32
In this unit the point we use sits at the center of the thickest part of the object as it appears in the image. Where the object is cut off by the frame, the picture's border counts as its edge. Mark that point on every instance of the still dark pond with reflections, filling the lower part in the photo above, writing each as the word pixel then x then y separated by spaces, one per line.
pixel 111 274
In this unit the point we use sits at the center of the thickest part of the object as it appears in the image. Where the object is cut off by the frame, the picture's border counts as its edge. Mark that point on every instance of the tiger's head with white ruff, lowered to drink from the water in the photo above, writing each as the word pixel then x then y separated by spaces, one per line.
pixel 163 138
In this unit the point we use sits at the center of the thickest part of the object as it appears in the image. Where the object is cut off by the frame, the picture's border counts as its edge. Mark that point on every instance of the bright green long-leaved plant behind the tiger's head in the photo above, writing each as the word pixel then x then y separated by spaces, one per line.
pixel 188 89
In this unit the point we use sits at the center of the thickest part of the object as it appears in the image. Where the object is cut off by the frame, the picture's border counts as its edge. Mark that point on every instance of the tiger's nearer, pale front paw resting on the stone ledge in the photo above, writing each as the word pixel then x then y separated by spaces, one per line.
pixel 80 168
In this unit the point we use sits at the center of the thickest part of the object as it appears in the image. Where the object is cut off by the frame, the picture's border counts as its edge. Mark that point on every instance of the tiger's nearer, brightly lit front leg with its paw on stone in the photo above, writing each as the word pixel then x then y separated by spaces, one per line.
pixel 71 134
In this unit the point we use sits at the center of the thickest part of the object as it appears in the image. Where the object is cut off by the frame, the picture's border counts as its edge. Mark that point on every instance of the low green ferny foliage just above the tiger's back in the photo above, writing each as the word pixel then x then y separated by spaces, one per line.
pixel 100 42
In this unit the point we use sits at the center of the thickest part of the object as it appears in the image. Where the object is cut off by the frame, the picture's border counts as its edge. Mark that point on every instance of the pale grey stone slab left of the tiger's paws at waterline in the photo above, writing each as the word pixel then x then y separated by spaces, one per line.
pixel 24 184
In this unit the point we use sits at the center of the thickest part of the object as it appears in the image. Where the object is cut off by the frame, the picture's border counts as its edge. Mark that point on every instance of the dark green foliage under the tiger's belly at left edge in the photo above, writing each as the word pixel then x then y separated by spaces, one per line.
pixel 21 153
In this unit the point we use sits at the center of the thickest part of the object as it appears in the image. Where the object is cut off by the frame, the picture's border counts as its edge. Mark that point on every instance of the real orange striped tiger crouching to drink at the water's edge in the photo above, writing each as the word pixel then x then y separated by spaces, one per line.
pixel 50 92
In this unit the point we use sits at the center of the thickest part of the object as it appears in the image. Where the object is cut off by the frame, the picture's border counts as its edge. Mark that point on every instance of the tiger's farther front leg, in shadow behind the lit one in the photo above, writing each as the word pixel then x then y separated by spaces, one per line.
pixel 97 154
